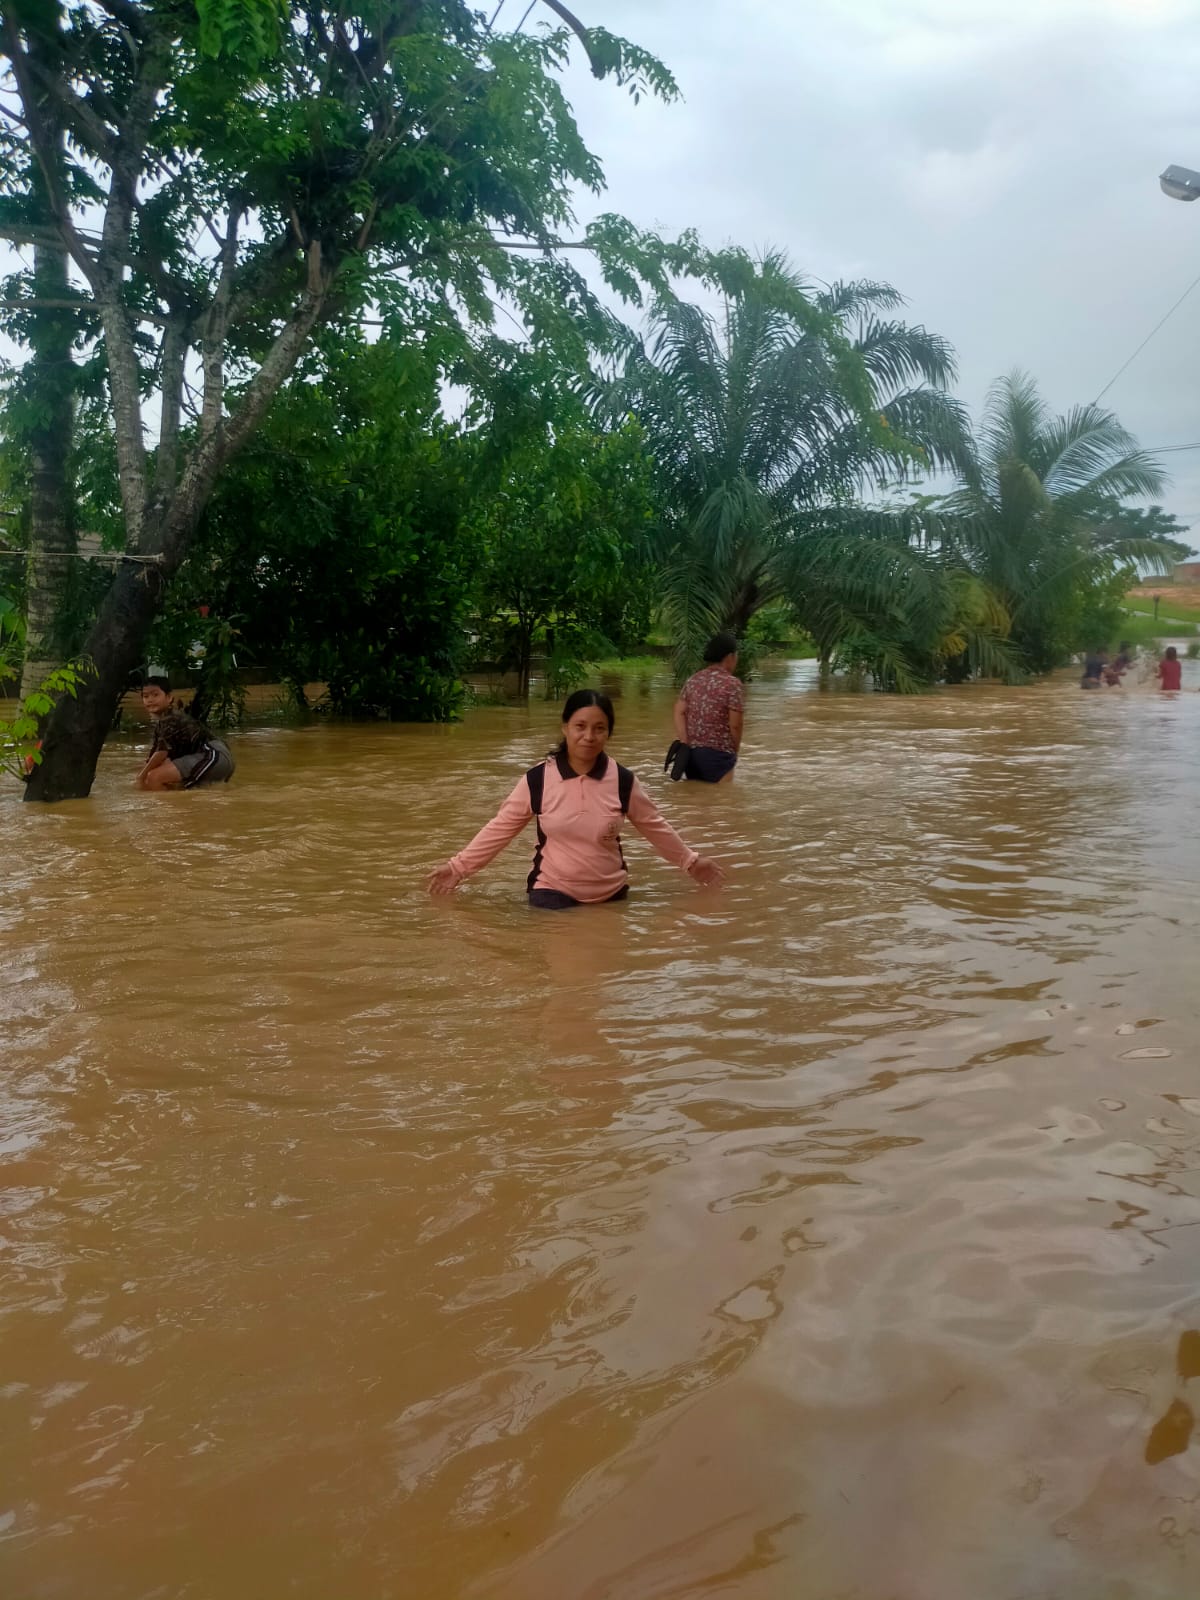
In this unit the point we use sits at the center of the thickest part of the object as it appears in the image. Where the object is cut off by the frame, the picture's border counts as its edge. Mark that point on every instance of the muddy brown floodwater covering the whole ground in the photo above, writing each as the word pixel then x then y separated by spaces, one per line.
pixel 834 1236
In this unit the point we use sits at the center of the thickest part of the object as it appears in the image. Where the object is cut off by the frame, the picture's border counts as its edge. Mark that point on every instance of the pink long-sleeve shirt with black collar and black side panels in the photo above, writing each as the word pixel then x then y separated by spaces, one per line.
pixel 580 833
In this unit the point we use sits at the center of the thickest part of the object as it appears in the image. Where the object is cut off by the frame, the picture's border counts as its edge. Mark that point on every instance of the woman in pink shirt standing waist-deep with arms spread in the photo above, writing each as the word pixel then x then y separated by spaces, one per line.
pixel 580 798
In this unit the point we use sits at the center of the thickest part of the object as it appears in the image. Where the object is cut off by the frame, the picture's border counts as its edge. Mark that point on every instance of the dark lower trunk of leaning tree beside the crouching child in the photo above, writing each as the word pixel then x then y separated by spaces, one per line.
pixel 78 730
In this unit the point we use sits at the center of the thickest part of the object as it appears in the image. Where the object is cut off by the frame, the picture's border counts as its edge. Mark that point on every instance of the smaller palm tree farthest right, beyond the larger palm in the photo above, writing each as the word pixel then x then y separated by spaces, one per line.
pixel 1034 514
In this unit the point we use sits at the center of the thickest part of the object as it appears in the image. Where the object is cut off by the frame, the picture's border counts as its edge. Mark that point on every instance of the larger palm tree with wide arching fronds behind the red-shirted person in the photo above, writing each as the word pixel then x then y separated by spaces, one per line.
pixel 766 422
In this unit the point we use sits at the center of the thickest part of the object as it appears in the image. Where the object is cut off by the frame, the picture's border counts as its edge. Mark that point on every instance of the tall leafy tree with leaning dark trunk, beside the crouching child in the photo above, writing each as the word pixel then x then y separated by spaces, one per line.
pixel 225 180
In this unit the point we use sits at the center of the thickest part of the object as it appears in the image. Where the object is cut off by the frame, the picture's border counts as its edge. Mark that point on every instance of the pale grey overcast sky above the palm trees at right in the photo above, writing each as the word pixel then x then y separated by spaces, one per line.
pixel 994 159
